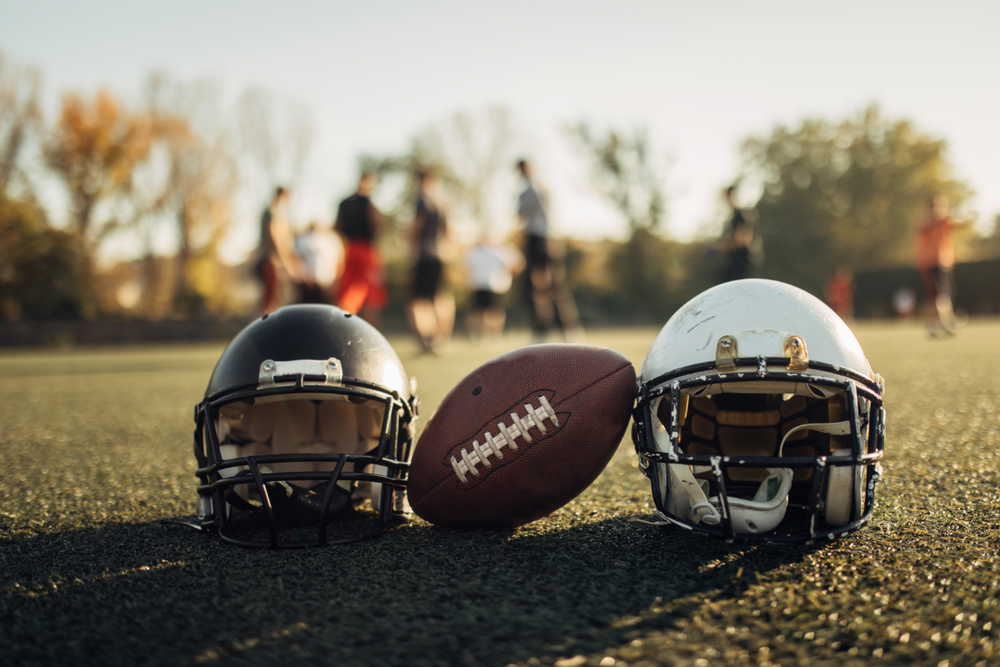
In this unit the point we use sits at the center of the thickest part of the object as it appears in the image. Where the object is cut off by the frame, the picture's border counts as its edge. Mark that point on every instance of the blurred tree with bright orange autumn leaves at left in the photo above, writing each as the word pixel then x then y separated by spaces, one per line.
pixel 95 148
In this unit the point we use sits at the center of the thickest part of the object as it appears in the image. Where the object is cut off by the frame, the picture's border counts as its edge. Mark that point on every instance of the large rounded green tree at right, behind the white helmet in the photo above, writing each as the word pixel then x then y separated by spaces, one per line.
pixel 844 193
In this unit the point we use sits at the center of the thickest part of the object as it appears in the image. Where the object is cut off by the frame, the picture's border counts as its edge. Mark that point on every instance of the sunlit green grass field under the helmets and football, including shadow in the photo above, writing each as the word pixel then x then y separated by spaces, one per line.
pixel 95 451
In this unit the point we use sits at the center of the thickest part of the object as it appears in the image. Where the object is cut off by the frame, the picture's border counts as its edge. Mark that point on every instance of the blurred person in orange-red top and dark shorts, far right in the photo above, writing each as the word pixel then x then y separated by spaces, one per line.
pixel 935 249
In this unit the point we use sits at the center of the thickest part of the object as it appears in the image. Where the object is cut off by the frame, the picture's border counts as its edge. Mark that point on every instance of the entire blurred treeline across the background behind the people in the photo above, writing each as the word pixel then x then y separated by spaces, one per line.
pixel 828 193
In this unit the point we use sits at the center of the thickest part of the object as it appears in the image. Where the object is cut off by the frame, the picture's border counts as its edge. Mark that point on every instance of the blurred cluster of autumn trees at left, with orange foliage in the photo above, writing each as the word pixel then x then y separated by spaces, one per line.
pixel 174 164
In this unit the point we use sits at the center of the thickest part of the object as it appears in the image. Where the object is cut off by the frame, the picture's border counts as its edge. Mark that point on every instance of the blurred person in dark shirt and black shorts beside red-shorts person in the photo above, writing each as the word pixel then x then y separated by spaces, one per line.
pixel 431 309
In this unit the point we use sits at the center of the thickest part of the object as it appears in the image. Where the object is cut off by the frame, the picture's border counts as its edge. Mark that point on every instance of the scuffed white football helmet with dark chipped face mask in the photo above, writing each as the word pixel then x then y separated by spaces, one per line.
pixel 759 417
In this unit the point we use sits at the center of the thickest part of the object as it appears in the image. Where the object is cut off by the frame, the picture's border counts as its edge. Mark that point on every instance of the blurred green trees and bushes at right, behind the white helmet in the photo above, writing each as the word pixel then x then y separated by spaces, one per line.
pixel 832 194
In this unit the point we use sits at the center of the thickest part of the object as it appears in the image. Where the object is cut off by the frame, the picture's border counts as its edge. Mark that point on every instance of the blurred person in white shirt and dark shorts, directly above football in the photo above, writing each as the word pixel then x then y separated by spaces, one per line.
pixel 490 270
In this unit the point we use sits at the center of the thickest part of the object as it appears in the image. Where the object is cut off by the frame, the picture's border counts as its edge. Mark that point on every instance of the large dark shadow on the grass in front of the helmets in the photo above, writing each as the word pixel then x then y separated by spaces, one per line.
pixel 163 594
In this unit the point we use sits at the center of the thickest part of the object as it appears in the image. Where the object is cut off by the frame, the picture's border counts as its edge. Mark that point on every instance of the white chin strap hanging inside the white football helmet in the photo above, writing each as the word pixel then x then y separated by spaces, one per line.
pixel 767 508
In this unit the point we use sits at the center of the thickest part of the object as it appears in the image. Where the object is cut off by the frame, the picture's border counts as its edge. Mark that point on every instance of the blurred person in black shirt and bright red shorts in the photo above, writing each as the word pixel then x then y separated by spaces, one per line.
pixel 362 285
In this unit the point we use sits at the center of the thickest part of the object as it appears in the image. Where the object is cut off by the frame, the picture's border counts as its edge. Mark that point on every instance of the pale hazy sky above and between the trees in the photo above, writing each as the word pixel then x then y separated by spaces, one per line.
pixel 698 77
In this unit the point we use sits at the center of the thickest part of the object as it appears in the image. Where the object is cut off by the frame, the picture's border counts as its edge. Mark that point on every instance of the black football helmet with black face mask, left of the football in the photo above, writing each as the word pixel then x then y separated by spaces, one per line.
pixel 304 435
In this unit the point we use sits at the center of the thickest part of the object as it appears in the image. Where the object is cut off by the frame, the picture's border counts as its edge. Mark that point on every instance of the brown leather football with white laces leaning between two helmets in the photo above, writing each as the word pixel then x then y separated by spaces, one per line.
pixel 521 436
